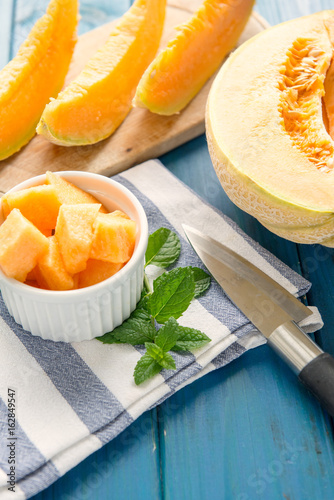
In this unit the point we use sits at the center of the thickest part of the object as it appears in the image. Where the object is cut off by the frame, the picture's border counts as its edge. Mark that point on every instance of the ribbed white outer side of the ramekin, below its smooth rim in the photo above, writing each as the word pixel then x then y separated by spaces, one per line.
pixel 78 319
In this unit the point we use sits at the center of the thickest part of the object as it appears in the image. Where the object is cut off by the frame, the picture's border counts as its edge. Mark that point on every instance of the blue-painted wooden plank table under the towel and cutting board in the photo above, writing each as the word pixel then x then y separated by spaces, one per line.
pixel 247 431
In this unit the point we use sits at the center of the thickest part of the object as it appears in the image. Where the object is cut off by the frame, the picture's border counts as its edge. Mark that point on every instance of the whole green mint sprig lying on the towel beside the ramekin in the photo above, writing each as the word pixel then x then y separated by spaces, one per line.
pixel 154 321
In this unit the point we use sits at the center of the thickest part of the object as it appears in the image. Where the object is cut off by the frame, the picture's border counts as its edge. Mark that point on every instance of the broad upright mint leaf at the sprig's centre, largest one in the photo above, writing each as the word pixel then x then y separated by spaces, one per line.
pixel 172 294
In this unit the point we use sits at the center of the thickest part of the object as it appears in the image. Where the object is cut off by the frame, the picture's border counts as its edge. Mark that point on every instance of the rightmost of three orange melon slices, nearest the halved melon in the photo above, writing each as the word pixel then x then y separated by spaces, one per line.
pixel 180 70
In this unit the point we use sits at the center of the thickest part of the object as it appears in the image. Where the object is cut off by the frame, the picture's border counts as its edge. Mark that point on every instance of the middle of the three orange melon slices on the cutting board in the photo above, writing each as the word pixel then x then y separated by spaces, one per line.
pixel 95 104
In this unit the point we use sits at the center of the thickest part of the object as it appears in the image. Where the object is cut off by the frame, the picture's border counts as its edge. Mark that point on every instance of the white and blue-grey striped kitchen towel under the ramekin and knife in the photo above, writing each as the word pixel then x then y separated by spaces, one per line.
pixel 74 398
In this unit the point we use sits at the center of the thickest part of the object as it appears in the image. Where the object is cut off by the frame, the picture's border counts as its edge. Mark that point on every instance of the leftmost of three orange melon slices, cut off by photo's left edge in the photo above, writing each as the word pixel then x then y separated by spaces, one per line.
pixel 36 74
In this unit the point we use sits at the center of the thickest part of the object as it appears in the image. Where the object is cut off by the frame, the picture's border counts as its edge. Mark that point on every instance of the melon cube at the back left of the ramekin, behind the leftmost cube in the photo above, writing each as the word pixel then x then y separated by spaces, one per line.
pixel 39 204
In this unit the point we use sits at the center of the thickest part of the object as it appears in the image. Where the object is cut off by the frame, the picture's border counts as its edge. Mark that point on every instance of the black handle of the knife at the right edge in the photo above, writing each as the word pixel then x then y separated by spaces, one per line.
pixel 318 378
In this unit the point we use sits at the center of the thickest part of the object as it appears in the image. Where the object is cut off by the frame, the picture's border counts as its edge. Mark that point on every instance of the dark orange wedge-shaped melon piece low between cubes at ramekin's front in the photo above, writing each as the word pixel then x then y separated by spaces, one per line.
pixel 50 271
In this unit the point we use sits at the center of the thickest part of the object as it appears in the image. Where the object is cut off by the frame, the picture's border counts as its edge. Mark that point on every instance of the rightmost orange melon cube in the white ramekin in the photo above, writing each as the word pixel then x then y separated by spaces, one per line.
pixel 114 238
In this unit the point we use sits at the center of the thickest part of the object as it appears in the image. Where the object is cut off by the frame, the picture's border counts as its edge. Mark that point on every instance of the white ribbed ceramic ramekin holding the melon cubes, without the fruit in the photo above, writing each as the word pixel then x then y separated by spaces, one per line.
pixel 83 314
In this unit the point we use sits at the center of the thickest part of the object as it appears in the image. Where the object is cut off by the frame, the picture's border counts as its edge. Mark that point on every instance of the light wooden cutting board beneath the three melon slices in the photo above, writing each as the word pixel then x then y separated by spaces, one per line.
pixel 141 136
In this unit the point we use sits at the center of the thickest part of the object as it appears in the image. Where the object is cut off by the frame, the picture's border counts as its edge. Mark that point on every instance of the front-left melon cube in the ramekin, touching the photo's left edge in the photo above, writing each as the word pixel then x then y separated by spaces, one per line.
pixel 21 245
